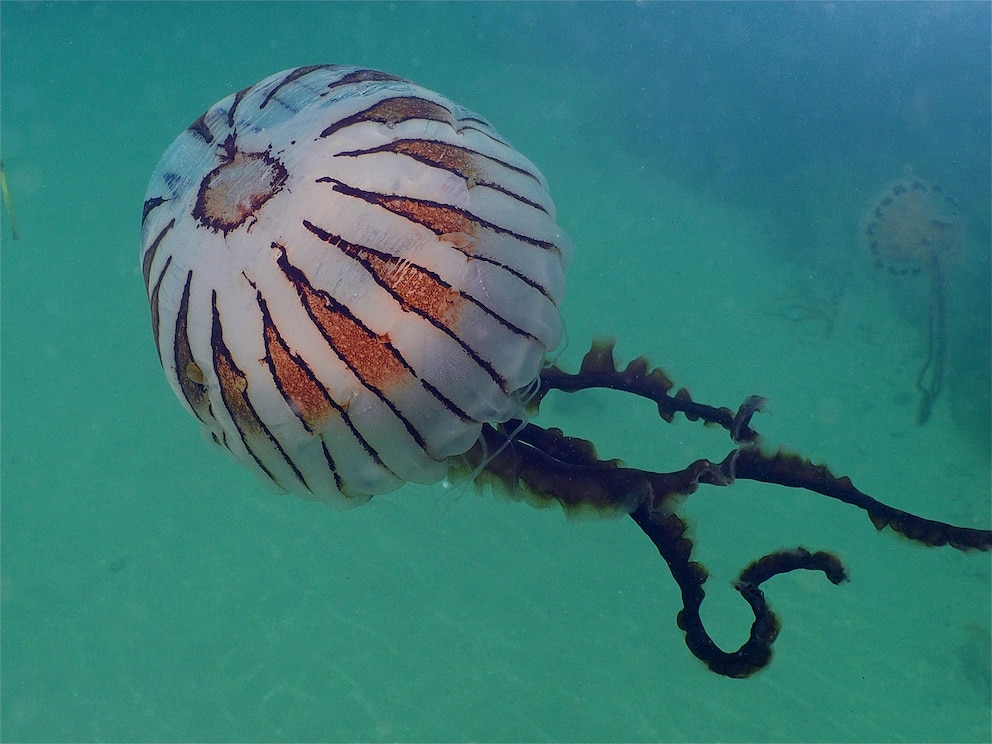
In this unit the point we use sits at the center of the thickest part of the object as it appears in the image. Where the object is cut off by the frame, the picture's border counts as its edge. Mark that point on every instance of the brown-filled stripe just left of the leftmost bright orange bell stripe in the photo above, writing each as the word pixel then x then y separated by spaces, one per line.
pixel 233 384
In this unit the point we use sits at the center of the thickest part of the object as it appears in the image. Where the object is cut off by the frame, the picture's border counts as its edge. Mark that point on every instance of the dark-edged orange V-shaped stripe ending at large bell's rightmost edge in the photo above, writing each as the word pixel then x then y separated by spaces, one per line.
pixel 443 219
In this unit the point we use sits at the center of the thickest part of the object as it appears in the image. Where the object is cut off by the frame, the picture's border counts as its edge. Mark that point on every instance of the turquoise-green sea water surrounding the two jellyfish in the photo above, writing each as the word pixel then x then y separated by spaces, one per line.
pixel 711 163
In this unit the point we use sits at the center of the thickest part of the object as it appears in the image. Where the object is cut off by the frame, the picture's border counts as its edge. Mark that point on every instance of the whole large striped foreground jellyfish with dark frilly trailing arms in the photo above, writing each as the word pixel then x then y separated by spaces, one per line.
pixel 354 283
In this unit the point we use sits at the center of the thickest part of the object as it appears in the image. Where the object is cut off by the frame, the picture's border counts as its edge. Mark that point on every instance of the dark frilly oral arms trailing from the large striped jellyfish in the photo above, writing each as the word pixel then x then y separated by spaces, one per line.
pixel 545 465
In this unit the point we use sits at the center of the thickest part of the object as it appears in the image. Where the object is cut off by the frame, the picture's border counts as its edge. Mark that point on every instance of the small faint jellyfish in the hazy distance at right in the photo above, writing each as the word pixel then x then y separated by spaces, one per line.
pixel 913 228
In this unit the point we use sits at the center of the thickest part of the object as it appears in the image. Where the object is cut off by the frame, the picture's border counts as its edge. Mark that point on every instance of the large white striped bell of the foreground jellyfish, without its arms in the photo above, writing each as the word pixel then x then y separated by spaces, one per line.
pixel 348 276
